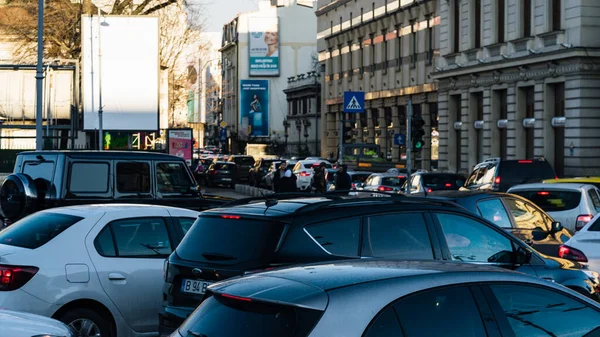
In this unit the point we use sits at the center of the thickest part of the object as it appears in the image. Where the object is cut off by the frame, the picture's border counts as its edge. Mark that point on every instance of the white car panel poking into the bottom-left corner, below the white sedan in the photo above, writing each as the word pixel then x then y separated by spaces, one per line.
pixel 17 324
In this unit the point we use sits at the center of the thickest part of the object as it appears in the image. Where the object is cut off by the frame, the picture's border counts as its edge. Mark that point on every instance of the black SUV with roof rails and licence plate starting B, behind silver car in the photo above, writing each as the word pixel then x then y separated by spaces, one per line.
pixel 251 235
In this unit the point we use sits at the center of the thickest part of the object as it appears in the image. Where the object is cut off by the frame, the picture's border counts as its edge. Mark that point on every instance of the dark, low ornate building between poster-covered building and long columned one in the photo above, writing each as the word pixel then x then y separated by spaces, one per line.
pixel 303 121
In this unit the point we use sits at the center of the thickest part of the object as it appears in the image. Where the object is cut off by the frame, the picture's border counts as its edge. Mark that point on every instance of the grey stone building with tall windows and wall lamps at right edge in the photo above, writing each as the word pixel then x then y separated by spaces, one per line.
pixel 519 79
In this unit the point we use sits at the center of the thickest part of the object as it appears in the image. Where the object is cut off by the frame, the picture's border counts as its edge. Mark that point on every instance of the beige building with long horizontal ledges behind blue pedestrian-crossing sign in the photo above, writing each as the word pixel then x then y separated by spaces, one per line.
pixel 386 49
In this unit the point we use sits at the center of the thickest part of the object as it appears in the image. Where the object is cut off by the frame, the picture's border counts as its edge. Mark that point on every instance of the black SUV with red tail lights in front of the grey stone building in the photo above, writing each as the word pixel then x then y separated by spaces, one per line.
pixel 499 175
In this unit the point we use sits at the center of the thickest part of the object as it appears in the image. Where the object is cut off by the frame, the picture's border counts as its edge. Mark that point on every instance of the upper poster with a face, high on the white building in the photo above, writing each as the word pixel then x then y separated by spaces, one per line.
pixel 264 46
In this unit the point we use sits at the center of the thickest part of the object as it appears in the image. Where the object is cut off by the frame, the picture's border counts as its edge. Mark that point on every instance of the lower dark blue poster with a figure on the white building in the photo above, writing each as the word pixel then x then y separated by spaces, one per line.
pixel 254 108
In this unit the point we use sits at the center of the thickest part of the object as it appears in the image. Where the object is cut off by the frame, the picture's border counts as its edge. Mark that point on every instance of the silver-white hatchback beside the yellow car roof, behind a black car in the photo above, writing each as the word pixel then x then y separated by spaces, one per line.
pixel 573 205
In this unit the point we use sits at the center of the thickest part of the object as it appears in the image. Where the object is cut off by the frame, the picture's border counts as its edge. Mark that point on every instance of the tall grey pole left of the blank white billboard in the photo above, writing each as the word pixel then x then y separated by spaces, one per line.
pixel 39 78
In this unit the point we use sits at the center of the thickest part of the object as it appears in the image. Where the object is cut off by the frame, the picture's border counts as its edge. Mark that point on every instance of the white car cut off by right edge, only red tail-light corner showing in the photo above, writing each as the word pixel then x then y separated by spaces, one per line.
pixel 587 240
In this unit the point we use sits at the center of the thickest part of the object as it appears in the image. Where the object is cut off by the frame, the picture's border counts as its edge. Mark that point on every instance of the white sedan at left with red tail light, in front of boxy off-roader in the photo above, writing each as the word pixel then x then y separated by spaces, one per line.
pixel 97 268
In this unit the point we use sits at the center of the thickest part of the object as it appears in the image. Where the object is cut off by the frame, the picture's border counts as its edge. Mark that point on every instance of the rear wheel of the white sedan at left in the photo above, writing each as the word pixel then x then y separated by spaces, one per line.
pixel 87 319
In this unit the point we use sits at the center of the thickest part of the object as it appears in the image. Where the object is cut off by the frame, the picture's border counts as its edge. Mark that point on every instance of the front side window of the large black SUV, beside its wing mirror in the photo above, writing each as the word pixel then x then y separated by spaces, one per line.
pixel 472 241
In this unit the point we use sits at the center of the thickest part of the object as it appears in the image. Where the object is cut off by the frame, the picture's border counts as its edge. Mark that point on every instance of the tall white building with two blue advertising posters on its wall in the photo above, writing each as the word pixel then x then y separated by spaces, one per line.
pixel 295 30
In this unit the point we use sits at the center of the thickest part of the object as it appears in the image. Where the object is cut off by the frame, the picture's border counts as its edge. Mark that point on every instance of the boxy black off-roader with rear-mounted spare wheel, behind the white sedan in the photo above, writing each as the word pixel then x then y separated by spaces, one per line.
pixel 48 179
